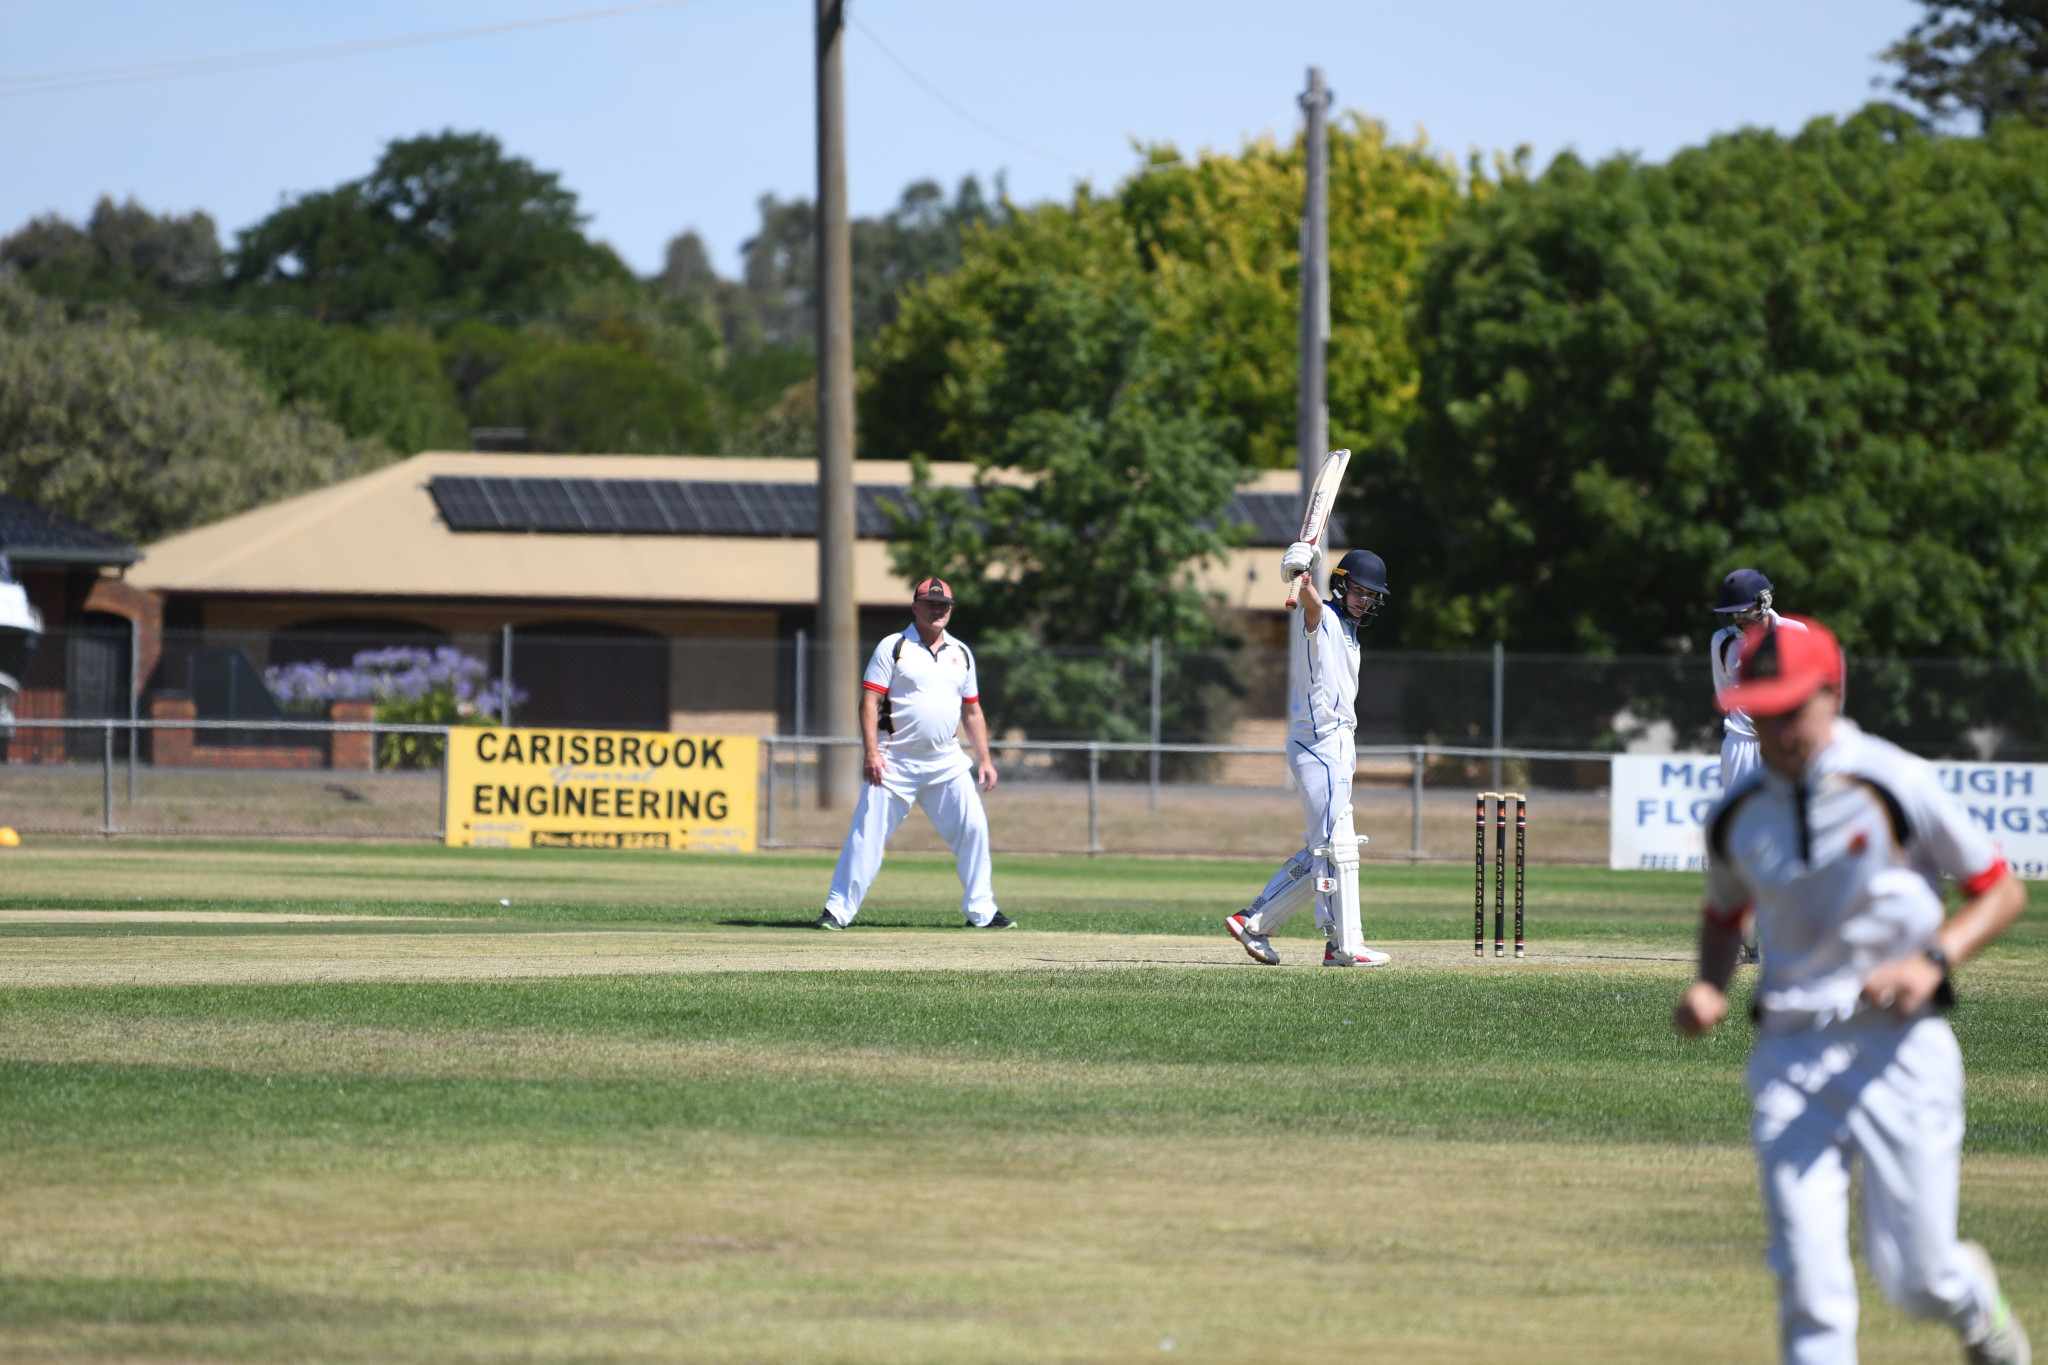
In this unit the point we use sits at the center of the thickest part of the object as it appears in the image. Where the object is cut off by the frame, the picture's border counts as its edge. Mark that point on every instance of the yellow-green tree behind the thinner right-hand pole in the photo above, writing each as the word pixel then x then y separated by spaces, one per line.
pixel 1220 240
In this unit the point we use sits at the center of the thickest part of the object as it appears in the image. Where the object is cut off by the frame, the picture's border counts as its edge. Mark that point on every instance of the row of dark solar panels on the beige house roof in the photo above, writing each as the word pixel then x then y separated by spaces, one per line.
pixel 732 509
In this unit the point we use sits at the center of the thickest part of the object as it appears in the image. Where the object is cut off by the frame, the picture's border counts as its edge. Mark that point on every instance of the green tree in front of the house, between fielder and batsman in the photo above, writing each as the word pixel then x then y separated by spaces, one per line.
pixel 1101 484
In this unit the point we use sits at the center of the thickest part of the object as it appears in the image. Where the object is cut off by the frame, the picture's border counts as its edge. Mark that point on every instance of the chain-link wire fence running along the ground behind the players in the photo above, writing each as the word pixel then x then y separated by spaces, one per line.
pixel 339 732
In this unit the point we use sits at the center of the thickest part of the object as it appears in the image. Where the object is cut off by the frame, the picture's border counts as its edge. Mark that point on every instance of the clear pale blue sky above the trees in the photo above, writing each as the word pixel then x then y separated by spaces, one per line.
pixel 683 118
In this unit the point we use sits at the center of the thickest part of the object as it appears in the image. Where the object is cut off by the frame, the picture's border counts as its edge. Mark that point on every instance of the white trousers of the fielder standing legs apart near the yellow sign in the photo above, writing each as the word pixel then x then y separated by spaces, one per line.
pixel 949 797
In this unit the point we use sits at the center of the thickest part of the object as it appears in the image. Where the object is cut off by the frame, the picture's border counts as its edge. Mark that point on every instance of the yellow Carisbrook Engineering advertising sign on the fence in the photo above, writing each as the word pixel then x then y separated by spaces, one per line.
pixel 601 791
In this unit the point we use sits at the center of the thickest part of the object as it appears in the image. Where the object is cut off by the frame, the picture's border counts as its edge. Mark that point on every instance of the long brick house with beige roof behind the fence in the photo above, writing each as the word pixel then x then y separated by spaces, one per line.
pixel 644 592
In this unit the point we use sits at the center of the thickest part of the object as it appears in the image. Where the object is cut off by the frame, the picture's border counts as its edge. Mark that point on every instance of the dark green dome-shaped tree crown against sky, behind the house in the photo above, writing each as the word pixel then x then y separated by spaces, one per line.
pixel 443 222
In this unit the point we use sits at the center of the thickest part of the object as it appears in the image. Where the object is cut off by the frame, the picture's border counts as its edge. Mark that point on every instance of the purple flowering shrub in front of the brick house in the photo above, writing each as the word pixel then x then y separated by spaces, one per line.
pixel 409 687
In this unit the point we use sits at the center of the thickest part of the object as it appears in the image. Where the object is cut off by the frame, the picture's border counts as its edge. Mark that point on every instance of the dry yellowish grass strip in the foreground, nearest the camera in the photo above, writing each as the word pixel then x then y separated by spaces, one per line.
pixel 724 1249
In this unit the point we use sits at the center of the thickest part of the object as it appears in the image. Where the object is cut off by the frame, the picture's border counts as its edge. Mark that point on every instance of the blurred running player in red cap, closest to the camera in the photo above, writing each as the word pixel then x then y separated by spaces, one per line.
pixel 1838 848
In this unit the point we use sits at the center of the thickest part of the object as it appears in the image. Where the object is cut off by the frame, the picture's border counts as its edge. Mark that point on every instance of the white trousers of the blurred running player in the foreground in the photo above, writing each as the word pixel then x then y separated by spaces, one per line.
pixel 1887 1094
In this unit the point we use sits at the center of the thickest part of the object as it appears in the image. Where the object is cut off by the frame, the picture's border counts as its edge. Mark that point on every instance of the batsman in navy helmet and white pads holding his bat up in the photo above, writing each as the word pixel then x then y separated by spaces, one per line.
pixel 1322 746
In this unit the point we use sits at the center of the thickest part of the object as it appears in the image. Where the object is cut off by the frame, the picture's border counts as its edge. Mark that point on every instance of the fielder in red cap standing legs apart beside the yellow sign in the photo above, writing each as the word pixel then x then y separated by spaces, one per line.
pixel 919 693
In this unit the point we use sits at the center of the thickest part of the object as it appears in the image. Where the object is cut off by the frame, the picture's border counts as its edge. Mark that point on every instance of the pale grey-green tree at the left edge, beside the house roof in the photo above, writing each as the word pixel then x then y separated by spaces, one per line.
pixel 146 435
